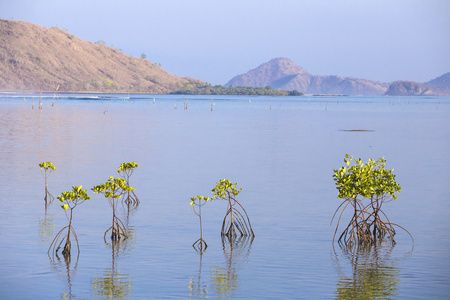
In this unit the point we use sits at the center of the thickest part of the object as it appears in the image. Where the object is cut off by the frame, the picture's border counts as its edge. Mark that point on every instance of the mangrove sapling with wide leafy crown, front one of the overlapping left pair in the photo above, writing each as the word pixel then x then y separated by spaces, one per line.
pixel 114 189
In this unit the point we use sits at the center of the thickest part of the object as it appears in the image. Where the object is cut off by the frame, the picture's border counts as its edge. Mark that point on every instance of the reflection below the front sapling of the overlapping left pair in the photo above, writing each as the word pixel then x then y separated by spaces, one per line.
pixel 113 284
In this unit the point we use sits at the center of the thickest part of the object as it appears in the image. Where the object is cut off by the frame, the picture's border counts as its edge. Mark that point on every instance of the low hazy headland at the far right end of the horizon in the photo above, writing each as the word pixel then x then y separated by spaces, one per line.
pixel 409 88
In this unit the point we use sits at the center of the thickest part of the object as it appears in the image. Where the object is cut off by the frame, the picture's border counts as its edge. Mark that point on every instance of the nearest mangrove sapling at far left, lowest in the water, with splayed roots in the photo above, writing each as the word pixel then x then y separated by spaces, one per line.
pixel 70 200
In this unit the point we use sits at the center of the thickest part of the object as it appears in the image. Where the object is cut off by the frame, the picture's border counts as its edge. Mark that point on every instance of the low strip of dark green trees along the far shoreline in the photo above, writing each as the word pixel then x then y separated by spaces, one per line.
pixel 240 90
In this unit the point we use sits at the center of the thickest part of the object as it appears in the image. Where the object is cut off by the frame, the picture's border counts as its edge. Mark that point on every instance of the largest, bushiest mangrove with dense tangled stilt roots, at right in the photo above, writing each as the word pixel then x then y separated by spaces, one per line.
pixel 360 183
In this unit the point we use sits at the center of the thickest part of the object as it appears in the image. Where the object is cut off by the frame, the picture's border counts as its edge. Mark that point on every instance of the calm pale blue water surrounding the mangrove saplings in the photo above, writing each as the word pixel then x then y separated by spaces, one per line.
pixel 281 151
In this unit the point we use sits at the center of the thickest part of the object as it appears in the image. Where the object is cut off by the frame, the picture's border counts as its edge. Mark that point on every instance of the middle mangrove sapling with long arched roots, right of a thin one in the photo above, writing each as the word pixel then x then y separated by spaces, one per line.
pixel 236 220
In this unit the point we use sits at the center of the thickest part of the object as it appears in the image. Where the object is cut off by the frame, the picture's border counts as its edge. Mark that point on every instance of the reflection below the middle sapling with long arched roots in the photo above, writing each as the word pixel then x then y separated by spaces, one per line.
pixel 224 279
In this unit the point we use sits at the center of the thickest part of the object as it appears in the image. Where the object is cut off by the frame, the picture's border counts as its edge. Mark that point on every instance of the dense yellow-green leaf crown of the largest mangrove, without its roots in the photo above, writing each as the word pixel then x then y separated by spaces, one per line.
pixel 365 179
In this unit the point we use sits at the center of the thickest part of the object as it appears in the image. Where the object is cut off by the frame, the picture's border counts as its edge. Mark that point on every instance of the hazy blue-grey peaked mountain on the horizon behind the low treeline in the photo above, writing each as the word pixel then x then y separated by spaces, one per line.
pixel 285 74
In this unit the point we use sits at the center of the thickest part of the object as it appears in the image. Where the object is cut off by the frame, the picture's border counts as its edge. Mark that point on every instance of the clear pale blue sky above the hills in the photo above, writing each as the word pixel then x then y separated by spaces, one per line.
pixel 383 40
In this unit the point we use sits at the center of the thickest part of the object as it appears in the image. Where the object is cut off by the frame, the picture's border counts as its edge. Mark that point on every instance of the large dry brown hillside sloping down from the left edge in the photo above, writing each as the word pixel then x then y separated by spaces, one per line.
pixel 32 57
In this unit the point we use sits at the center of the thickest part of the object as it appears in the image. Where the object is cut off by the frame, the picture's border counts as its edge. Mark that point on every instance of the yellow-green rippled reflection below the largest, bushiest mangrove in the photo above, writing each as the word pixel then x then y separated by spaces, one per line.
pixel 373 274
